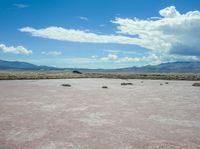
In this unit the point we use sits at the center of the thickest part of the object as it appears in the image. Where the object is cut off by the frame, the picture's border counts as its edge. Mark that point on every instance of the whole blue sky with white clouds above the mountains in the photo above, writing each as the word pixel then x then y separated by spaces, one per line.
pixel 99 33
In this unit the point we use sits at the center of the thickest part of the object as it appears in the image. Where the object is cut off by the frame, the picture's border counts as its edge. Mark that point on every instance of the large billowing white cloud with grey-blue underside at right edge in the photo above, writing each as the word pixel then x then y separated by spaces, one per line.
pixel 173 33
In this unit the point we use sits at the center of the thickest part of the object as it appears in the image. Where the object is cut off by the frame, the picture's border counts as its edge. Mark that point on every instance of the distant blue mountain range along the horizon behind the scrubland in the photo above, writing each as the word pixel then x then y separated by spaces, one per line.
pixel 176 67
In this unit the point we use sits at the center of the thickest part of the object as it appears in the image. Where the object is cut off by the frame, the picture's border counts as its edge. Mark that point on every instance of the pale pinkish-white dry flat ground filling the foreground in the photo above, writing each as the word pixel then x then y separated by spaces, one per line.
pixel 42 114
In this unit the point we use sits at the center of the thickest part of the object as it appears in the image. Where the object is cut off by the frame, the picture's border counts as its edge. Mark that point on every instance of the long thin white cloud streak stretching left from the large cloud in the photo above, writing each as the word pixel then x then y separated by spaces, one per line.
pixel 59 33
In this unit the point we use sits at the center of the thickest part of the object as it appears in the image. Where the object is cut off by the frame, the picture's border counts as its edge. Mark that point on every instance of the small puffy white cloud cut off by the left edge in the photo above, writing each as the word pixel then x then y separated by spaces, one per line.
pixel 15 50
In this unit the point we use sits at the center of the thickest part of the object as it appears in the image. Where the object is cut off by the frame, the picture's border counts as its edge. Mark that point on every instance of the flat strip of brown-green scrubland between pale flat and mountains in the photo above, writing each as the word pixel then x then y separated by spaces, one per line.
pixel 26 75
